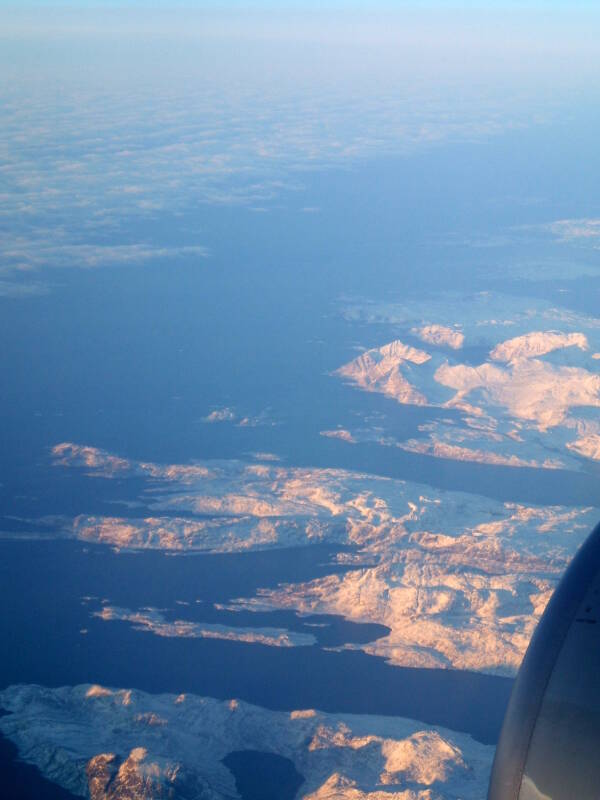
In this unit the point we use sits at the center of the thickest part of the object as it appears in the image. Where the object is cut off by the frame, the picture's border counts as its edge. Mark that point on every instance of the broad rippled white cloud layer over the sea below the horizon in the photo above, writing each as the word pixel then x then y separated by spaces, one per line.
pixel 132 142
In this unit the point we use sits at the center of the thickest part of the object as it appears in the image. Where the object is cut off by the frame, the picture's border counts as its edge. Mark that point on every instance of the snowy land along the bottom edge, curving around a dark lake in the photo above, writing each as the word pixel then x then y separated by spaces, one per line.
pixel 103 743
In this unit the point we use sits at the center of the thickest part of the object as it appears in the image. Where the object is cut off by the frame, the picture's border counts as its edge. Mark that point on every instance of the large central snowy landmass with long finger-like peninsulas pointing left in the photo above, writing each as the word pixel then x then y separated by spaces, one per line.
pixel 460 579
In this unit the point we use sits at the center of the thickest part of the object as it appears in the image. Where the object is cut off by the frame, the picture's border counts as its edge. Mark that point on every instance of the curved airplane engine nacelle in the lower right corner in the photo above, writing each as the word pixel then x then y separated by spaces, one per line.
pixel 549 748
